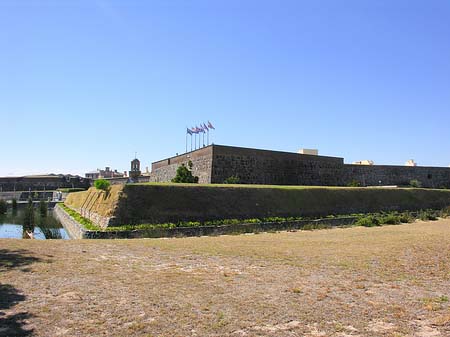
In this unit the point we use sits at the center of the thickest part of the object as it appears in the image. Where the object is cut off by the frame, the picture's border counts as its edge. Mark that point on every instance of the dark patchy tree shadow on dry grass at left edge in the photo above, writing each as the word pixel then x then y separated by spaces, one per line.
pixel 12 324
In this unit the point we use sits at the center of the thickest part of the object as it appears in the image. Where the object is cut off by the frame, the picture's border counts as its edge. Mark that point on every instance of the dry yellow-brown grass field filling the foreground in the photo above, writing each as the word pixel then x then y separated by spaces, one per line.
pixel 383 281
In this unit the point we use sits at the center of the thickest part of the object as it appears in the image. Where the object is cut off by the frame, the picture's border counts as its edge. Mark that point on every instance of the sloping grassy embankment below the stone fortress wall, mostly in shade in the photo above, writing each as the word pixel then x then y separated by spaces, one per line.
pixel 148 206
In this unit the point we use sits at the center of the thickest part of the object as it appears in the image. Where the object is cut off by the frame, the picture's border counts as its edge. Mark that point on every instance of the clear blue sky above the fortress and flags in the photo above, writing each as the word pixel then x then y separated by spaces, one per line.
pixel 85 84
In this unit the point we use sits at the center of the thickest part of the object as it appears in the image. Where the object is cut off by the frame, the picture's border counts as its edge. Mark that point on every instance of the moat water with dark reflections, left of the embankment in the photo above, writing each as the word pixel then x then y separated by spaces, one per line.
pixel 44 227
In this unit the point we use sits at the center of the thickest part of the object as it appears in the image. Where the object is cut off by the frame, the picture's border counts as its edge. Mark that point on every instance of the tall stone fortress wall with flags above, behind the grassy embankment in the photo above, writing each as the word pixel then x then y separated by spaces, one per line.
pixel 215 163
